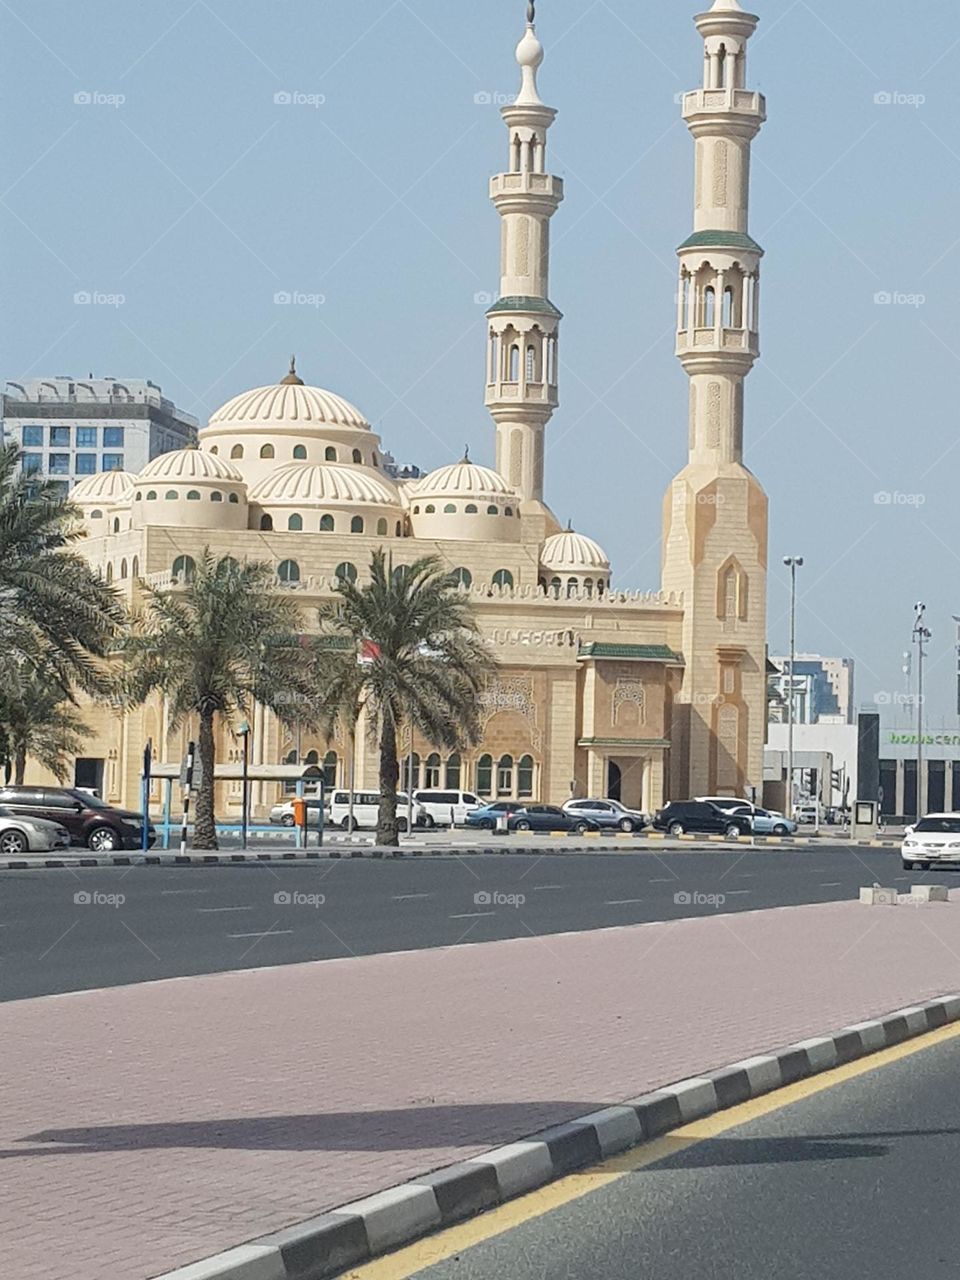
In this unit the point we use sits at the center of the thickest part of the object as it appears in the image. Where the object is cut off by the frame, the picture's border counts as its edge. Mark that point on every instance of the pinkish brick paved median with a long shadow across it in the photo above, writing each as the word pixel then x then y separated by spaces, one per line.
pixel 143 1128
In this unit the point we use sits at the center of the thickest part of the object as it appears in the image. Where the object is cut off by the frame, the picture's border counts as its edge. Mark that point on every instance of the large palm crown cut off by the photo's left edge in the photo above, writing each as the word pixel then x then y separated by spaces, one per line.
pixel 57 614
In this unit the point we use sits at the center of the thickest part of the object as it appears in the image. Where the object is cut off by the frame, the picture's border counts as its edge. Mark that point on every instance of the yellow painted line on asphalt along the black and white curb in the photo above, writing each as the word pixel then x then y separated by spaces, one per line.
pixel 446 1245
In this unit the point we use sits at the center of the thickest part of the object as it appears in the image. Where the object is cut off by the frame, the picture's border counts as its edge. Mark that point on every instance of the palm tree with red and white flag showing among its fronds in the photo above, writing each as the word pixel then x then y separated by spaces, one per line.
pixel 405 648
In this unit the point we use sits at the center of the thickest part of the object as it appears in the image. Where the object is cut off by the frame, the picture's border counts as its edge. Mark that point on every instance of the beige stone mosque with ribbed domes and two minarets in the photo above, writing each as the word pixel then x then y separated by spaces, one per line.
pixel 633 694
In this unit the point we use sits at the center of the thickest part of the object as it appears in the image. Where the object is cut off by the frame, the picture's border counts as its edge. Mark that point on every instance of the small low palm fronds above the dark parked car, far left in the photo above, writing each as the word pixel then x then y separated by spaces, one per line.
pixel 38 721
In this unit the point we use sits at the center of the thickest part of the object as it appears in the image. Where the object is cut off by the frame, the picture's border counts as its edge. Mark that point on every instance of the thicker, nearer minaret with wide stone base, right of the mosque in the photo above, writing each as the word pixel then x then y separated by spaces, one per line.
pixel 715 545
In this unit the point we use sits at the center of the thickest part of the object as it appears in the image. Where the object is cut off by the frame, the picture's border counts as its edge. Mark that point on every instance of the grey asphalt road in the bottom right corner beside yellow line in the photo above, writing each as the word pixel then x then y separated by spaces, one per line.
pixel 856 1182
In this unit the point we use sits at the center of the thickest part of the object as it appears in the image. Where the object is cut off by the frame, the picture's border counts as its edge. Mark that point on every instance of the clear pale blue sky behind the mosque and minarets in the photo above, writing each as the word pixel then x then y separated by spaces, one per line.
pixel 199 199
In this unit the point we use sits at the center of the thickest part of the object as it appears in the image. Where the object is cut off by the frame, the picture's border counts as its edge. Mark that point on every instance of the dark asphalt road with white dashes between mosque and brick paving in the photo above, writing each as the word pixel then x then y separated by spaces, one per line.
pixel 81 929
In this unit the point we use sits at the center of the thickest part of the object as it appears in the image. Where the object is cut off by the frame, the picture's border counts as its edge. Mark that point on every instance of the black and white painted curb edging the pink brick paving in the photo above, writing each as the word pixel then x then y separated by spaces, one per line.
pixel 353 1235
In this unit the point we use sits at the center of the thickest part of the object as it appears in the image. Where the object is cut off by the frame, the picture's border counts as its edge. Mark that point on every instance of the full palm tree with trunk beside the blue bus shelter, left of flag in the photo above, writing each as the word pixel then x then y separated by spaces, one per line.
pixel 228 639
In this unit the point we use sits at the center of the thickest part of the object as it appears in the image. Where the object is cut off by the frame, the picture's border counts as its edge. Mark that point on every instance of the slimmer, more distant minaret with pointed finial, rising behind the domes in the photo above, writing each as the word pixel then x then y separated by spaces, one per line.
pixel 522 362
